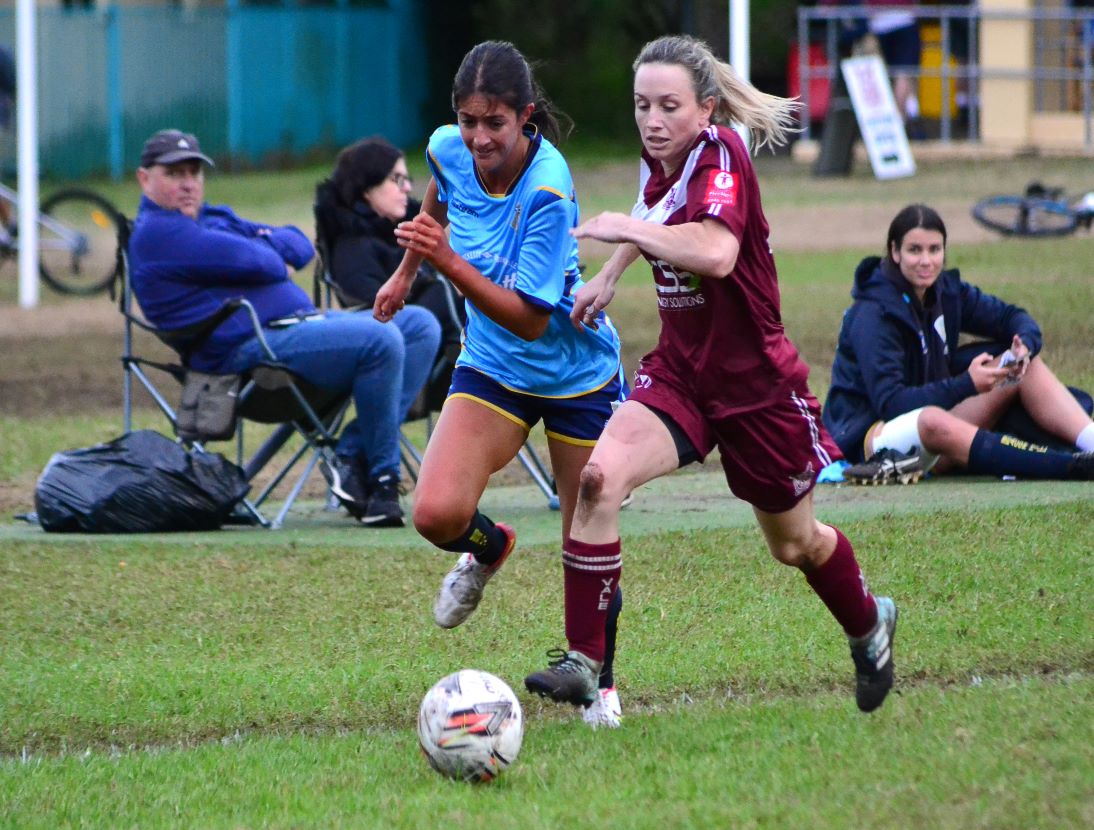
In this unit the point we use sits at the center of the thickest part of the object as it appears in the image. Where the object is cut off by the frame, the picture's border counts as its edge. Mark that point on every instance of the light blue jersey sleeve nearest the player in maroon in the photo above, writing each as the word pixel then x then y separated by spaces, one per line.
pixel 541 276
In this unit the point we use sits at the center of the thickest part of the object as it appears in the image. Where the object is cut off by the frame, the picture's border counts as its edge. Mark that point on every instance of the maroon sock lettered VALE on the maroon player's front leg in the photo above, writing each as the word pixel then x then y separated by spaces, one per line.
pixel 591 575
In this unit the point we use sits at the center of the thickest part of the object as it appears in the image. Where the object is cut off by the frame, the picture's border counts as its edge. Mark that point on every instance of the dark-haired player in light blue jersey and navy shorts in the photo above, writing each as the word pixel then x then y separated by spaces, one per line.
pixel 506 195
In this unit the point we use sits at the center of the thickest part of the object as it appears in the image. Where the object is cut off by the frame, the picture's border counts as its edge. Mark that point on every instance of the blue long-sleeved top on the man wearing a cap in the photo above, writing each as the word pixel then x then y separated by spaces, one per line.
pixel 183 271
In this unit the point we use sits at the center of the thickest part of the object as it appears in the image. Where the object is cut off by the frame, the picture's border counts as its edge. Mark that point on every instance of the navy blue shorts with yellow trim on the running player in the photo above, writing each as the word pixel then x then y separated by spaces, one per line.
pixel 579 420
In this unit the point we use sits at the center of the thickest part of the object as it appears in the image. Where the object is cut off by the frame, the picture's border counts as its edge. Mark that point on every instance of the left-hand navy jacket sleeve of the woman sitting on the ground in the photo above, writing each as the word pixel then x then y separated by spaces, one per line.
pixel 881 354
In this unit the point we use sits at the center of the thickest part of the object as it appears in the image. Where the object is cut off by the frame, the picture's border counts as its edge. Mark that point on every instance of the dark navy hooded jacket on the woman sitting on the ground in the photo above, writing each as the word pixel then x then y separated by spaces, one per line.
pixel 883 365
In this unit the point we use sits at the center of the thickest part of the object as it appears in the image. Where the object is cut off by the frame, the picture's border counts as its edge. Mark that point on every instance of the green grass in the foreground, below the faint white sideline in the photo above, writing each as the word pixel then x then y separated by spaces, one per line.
pixel 985 756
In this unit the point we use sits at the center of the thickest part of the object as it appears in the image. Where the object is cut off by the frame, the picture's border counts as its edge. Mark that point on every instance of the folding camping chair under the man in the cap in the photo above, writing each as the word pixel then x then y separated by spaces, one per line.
pixel 270 394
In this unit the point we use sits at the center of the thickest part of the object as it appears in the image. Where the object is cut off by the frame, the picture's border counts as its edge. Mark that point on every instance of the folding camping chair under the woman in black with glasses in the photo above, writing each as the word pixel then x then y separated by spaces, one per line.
pixel 327 289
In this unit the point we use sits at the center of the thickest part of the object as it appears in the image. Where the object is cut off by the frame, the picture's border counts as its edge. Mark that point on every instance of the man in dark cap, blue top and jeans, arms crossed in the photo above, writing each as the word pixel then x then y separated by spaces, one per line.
pixel 188 259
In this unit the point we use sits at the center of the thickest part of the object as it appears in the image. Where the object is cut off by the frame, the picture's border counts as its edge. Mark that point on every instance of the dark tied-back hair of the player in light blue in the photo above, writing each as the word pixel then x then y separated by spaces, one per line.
pixel 498 72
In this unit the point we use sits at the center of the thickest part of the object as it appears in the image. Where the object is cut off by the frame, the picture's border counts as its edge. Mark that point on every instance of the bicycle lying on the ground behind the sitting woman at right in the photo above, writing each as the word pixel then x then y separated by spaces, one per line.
pixel 1041 212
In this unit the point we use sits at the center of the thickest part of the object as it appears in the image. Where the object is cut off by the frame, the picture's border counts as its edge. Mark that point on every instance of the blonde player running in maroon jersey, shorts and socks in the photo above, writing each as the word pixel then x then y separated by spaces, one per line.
pixel 724 373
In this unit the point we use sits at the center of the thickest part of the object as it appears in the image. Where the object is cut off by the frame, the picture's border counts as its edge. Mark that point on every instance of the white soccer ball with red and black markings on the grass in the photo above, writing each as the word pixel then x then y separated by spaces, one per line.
pixel 471 727
